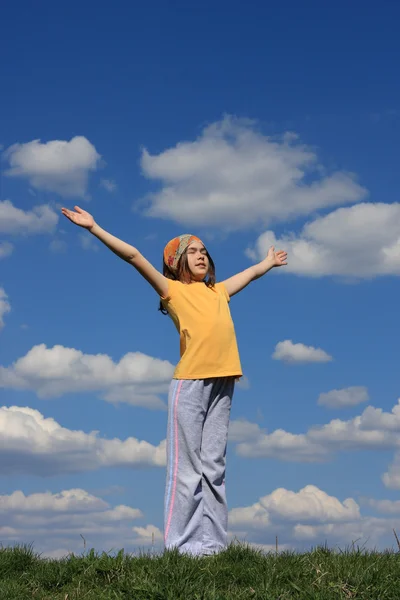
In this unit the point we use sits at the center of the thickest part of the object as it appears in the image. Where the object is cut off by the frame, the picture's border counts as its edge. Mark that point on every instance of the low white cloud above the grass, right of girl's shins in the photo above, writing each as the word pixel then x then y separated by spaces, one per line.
pixel 308 516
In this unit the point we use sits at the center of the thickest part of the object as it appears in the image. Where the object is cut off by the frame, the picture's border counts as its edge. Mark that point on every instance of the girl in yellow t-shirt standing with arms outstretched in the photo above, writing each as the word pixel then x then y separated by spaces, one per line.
pixel 200 396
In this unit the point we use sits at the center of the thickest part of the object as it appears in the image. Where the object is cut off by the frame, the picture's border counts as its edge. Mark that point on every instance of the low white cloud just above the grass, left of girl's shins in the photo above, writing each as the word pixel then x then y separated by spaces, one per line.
pixel 57 522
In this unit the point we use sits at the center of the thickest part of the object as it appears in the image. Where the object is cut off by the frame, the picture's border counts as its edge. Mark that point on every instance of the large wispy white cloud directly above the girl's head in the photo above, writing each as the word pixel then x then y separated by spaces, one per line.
pixel 234 177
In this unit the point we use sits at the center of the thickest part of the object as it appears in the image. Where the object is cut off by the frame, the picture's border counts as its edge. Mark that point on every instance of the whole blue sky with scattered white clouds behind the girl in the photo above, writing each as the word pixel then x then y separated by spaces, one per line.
pixel 275 124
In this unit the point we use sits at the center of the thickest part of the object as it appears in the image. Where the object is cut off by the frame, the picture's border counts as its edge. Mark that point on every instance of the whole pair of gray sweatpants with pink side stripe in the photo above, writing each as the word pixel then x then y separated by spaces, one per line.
pixel 195 510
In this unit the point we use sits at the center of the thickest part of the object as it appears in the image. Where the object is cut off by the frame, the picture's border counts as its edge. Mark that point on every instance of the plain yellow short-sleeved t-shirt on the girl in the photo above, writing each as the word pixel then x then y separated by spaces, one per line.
pixel 202 317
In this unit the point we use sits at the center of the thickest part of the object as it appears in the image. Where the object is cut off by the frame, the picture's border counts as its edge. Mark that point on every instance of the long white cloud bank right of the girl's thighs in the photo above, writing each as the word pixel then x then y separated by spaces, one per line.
pixel 372 430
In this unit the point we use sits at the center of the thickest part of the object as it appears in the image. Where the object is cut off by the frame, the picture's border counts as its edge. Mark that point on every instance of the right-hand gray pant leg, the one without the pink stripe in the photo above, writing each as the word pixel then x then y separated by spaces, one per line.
pixel 213 458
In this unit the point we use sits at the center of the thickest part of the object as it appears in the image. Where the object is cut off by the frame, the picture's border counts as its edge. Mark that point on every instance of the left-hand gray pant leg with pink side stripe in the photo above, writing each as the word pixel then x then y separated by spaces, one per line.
pixel 183 508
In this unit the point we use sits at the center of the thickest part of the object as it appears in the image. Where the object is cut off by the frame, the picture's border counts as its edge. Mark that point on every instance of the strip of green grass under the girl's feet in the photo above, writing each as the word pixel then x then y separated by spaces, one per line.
pixel 238 573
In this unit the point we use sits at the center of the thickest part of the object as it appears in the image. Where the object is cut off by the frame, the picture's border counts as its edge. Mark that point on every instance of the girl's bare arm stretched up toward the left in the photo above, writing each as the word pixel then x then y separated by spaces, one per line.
pixel 128 253
